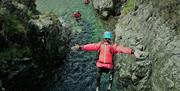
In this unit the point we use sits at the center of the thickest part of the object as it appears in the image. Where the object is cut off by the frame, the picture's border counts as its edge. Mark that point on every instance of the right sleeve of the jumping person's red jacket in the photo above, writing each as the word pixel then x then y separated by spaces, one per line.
pixel 121 49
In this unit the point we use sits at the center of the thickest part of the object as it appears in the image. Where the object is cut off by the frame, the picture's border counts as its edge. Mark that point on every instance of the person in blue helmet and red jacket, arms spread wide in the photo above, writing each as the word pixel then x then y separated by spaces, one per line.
pixel 106 49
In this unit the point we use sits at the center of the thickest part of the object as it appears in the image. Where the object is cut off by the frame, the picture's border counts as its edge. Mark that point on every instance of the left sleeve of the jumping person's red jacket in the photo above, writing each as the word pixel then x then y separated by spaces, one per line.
pixel 90 47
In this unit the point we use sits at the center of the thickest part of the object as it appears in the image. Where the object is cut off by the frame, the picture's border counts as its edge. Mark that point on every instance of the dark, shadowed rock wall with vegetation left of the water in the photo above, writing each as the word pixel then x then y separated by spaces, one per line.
pixel 32 45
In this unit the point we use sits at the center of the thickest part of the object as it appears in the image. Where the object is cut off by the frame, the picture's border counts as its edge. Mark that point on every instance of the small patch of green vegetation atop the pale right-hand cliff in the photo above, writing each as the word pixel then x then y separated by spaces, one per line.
pixel 129 6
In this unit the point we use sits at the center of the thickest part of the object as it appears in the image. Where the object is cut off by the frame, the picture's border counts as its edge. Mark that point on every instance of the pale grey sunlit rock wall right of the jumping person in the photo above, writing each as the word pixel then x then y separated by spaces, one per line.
pixel 150 27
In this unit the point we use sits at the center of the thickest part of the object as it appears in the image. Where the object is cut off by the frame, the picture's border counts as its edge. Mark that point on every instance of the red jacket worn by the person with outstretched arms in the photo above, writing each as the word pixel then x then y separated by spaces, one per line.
pixel 106 52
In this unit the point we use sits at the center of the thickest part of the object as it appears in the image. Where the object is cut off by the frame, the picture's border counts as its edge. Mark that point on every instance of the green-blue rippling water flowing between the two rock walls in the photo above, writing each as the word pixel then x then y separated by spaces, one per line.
pixel 79 71
